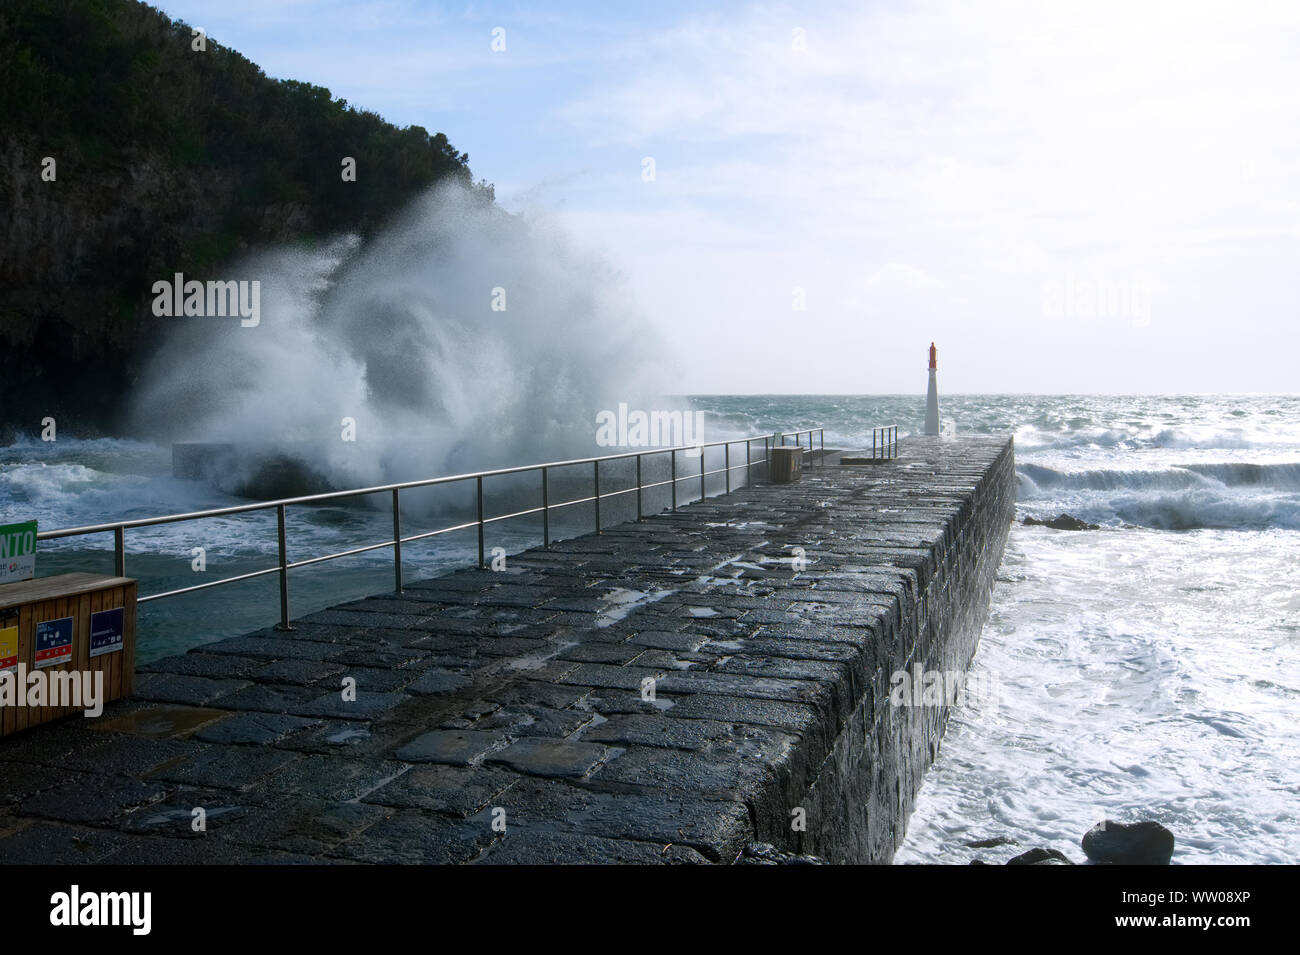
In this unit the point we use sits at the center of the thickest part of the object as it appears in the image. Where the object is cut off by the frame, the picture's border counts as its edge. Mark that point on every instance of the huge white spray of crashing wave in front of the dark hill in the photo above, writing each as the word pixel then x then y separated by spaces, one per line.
pixel 401 336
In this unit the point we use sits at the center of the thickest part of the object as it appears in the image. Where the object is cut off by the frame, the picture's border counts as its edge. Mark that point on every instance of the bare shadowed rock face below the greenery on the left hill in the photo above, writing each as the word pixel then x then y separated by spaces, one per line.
pixel 77 259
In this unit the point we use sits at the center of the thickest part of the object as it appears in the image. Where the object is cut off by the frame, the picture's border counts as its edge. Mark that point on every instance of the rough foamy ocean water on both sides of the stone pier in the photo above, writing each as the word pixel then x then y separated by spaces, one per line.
pixel 1149 670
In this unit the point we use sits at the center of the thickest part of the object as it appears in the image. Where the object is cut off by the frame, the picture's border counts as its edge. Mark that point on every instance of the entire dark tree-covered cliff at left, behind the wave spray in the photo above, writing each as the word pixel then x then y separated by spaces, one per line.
pixel 167 159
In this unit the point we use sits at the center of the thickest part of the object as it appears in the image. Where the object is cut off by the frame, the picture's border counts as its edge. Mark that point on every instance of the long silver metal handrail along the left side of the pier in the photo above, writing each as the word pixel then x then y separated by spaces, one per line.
pixel 284 566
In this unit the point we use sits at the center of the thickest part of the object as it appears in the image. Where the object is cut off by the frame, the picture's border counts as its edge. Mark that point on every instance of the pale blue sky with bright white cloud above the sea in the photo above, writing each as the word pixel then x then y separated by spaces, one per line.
pixel 1065 197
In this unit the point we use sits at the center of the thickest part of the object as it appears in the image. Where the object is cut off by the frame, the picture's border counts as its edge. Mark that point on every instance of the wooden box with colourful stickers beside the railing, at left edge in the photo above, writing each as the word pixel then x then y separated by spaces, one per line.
pixel 80 598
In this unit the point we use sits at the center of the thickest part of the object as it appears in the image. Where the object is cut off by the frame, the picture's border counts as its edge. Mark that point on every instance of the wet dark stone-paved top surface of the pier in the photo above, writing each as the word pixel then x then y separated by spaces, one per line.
pixel 662 693
